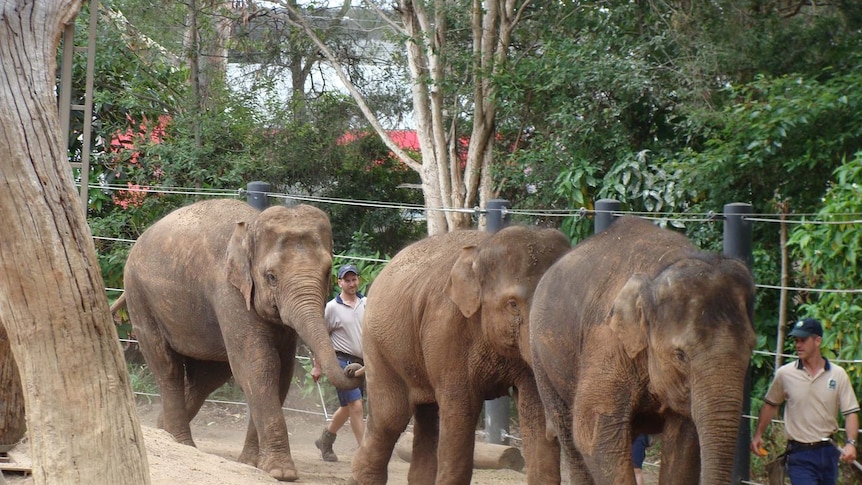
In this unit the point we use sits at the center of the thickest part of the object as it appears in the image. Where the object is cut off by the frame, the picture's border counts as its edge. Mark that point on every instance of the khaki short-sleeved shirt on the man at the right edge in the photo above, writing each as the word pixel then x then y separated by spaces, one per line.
pixel 812 403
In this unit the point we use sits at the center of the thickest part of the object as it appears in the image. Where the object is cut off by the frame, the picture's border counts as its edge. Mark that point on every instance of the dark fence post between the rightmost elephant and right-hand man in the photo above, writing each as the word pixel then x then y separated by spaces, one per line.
pixel 738 244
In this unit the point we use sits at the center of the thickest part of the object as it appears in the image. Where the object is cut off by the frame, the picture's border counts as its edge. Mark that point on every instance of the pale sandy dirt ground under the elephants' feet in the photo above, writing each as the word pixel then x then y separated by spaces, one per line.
pixel 219 430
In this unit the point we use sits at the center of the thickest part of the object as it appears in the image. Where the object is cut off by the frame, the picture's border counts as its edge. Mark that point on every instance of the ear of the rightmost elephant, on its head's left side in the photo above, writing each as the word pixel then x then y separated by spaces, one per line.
pixel 627 318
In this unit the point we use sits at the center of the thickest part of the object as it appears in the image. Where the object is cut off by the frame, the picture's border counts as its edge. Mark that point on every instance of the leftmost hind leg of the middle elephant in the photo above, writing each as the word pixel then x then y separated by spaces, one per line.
pixel 389 412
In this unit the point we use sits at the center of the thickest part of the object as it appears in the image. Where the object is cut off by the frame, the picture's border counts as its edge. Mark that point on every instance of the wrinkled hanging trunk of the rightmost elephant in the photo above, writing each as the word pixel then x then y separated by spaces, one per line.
pixel 716 412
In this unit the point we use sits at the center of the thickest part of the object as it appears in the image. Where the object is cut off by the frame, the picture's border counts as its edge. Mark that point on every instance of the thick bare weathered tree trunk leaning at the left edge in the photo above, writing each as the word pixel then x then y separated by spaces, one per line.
pixel 81 419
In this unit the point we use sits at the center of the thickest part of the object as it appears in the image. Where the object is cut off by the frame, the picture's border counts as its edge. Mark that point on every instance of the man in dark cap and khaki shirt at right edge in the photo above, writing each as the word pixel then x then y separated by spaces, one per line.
pixel 814 391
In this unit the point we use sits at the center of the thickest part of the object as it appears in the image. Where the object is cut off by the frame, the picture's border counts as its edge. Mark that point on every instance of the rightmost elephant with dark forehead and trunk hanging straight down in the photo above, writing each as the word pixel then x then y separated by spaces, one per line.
pixel 636 331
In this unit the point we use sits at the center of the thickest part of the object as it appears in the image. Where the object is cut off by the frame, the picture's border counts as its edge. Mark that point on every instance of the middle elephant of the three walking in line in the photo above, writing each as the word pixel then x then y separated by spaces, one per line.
pixel 445 329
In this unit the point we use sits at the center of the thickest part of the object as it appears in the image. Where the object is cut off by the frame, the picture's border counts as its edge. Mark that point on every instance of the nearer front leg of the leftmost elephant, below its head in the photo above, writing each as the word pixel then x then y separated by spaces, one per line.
pixel 257 367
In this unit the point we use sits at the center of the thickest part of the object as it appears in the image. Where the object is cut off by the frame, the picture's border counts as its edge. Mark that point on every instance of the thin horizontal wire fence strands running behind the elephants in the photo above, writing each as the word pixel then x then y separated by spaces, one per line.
pixel 582 212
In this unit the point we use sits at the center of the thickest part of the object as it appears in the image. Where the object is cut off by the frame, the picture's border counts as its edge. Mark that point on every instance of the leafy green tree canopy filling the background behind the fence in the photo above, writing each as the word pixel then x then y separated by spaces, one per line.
pixel 672 107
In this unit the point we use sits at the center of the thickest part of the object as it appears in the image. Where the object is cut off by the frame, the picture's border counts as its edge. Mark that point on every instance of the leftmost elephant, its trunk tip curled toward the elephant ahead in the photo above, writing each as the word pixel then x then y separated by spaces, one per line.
pixel 219 288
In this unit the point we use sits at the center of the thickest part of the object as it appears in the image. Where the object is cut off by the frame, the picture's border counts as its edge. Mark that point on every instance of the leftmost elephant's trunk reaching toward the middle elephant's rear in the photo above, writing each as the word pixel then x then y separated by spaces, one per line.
pixel 311 327
